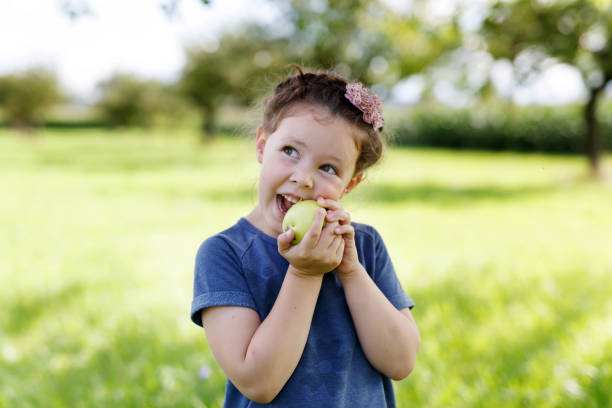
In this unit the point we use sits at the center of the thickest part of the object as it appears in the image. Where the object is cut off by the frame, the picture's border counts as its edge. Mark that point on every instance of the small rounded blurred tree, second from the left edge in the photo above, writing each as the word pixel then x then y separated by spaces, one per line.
pixel 126 100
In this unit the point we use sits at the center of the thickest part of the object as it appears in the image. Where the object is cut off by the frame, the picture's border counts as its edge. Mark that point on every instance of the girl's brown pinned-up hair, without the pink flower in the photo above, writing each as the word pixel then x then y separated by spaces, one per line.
pixel 325 91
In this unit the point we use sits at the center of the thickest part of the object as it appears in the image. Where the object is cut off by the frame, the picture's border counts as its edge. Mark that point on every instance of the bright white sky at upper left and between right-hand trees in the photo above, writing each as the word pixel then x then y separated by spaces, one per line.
pixel 136 36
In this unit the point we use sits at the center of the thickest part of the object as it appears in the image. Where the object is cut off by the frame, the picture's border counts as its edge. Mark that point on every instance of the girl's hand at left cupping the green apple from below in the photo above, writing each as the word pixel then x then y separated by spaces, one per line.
pixel 319 252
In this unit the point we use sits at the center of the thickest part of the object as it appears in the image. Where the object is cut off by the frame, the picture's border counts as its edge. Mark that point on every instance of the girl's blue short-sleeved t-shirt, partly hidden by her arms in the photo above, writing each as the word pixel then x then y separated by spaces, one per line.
pixel 241 266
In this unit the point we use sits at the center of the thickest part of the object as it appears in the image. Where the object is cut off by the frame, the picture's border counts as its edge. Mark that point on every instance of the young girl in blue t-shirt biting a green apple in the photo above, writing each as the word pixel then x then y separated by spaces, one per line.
pixel 324 323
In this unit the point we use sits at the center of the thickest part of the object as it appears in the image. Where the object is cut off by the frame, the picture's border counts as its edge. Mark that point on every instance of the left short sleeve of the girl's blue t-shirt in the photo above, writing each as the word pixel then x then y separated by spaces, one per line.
pixel 218 278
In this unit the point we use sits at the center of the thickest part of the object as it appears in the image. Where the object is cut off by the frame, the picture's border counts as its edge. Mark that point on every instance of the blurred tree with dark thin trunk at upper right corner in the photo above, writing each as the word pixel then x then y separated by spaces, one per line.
pixel 576 32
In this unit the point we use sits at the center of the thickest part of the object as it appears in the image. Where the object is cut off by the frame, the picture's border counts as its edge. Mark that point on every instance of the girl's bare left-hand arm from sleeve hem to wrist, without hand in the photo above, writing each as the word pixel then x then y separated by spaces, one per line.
pixel 259 357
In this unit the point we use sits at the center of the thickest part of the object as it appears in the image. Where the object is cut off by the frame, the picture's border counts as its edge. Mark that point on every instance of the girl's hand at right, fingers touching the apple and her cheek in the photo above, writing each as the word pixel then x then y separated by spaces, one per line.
pixel 342 220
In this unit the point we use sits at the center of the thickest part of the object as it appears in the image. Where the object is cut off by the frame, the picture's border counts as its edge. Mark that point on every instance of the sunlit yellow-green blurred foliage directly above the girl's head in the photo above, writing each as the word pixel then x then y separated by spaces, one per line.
pixel 373 41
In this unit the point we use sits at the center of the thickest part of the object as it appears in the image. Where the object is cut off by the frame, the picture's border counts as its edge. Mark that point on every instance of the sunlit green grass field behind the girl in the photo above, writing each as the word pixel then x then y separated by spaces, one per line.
pixel 508 257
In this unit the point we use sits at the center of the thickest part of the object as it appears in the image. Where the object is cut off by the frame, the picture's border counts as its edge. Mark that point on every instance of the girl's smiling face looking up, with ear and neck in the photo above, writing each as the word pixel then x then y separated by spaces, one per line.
pixel 309 155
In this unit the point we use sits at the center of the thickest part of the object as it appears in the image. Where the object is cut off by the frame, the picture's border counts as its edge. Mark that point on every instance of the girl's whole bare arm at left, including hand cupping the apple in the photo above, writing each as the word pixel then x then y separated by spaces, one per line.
pixel 259 357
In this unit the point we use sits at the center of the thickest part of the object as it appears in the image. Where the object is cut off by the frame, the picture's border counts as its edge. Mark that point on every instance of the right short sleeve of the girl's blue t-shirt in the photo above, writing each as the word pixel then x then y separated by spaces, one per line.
pixel 385 277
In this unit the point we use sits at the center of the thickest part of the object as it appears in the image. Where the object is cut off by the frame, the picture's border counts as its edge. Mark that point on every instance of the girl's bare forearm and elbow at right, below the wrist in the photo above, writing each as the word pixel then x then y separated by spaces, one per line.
pixel 389 337
